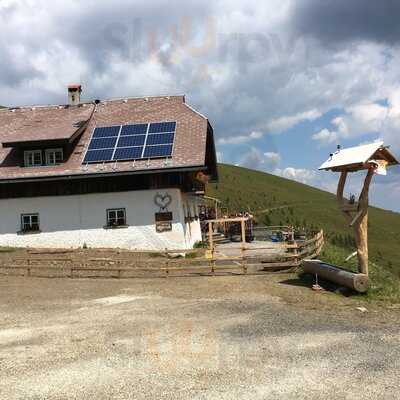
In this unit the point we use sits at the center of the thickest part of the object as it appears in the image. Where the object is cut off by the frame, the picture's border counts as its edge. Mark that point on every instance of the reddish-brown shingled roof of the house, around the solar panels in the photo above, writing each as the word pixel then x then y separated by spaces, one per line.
pixel 55 122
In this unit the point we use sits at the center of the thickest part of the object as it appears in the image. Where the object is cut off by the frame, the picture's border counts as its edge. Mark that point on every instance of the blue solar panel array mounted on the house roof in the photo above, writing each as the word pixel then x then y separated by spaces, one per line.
pixel 131 142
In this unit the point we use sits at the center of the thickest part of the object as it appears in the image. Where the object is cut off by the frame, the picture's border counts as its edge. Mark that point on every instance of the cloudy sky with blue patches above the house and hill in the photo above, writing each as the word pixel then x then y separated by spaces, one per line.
pixel 283 82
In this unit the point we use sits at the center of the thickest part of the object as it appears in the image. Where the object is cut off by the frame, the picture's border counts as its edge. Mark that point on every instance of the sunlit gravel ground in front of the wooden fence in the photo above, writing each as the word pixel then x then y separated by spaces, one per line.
pixel 254 337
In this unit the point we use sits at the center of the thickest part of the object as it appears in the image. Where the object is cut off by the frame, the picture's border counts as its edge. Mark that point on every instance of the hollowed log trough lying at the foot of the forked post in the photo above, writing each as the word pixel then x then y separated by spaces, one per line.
pixel 355 281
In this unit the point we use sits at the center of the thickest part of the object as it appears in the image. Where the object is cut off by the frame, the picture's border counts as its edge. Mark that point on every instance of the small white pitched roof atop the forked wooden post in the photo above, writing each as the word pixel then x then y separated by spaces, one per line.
pixel 355 158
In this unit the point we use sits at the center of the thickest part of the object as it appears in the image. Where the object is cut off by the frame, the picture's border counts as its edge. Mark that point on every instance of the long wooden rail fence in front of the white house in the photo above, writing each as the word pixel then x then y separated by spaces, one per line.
pixel 170 262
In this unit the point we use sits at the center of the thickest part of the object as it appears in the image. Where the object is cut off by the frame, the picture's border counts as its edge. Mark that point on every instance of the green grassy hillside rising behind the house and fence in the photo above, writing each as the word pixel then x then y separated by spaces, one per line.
pixel 242 189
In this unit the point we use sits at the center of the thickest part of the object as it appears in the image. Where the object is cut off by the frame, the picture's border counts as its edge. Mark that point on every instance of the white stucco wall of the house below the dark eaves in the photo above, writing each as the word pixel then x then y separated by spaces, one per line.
pixel 71 221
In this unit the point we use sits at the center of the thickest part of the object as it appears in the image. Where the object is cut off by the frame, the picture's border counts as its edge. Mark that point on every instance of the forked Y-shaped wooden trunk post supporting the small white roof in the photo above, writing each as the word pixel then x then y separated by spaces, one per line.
pixel 360 220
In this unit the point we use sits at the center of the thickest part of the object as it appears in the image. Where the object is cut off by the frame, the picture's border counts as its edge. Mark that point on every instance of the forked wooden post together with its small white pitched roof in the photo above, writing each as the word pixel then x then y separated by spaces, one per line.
pixel 374 158
